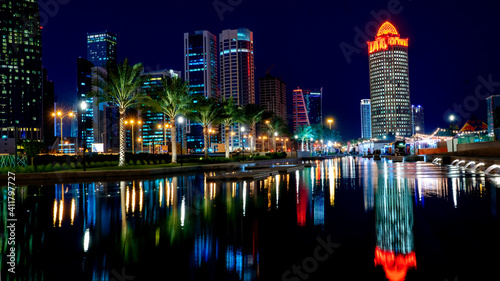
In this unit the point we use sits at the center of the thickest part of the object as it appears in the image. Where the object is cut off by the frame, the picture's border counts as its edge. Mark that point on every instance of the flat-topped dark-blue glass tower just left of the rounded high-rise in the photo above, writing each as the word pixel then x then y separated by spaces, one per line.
pixel 200 71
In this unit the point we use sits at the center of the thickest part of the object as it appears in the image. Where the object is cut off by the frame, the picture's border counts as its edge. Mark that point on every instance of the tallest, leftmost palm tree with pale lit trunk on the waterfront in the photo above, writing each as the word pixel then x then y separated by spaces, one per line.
pixel 119 84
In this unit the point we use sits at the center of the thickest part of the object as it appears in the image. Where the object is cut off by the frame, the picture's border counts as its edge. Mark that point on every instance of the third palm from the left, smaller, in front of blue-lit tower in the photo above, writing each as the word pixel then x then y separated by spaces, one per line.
pixel 207 112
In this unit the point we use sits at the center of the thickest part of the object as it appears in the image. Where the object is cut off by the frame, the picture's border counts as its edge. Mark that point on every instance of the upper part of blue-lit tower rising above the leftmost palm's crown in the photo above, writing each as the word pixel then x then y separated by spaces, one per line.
pixel 101 47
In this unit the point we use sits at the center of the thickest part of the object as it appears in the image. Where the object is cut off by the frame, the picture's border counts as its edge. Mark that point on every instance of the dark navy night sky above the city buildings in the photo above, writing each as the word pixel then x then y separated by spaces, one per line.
pixel 451 45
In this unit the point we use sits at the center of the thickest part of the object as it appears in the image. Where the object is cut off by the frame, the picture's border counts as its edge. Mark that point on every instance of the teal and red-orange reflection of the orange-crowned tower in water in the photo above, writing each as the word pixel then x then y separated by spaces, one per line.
pixel 394 228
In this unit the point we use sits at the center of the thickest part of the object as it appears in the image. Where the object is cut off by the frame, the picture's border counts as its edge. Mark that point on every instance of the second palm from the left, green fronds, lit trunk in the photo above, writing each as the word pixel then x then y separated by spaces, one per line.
pixel 172 99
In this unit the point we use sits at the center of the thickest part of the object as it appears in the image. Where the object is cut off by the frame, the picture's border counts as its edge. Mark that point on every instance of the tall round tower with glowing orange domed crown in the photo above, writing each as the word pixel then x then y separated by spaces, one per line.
pixel 389 83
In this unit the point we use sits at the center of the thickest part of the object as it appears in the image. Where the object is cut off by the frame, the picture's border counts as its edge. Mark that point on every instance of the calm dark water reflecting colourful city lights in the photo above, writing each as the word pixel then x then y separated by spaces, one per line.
pixel 345 219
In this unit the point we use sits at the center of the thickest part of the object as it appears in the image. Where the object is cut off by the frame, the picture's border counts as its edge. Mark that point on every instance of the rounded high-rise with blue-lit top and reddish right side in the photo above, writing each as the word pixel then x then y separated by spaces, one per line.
pixel 237 73
